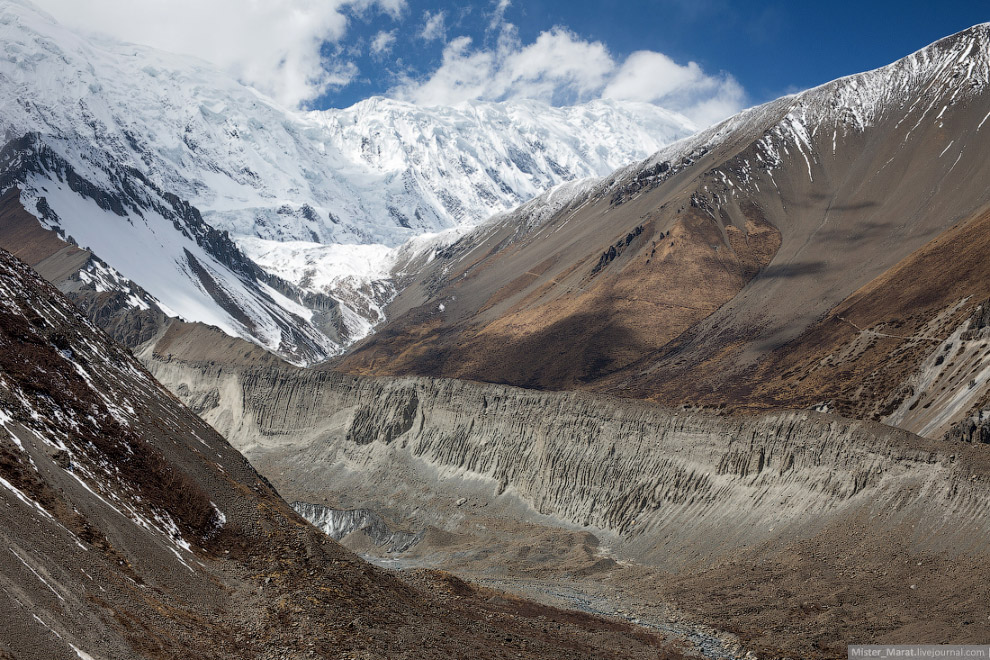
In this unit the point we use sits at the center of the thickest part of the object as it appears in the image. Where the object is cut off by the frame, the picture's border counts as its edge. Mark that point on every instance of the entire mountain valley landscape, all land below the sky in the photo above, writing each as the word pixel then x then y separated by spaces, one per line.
pixel 492 381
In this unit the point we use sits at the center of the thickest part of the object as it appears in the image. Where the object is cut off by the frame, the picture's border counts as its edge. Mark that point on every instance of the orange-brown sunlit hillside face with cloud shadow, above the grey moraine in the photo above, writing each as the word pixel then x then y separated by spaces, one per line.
pixel 555 325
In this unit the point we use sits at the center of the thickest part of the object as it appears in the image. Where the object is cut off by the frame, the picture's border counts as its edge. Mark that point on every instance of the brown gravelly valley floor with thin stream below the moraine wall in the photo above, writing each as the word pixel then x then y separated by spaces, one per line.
pixel 809 599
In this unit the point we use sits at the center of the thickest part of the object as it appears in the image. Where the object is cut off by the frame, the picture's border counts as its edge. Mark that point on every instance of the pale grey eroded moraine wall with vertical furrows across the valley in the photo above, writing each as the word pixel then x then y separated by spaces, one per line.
pixel 675 486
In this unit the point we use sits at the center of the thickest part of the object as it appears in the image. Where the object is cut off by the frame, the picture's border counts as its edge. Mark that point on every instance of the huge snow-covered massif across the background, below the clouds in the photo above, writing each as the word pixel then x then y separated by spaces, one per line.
pixel 380 172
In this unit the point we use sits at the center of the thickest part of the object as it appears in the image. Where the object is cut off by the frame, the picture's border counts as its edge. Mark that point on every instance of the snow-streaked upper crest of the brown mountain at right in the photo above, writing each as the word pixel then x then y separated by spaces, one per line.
pixel 896 102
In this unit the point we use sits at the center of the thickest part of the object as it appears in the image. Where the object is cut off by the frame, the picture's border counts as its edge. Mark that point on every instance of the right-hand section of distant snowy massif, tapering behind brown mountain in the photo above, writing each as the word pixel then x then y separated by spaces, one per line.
pixel 468 162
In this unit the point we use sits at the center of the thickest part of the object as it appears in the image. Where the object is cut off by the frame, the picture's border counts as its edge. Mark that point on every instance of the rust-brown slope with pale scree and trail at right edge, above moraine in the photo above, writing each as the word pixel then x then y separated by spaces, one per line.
pixel 894 351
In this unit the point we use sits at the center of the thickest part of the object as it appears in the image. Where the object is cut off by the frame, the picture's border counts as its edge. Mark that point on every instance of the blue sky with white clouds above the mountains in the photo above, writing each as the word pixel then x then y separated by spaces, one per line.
pixel 705 58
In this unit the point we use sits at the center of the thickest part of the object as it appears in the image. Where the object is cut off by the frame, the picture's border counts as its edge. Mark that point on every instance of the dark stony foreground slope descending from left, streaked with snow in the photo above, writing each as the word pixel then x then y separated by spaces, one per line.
pixel 131 529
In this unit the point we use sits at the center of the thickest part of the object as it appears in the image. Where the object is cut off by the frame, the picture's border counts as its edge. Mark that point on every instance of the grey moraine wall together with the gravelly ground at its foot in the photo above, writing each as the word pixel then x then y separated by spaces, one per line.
pixel 478 470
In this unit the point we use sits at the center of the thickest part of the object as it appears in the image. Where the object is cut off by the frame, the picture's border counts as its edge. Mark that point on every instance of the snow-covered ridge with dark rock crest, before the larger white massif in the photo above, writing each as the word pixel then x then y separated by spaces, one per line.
pixel 189 270
